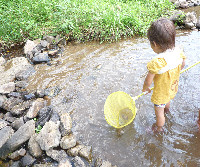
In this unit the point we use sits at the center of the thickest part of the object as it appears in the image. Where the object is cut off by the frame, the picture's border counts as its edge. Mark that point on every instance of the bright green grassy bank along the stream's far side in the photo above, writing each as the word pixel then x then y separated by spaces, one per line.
pixel 78 19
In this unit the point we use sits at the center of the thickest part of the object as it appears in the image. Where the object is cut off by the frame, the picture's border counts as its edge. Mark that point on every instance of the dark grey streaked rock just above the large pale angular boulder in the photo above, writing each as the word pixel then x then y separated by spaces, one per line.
pixel 44 116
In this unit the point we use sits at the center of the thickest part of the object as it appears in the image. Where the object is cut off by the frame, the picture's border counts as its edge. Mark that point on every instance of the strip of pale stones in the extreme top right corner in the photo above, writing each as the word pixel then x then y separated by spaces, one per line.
pixel 185 3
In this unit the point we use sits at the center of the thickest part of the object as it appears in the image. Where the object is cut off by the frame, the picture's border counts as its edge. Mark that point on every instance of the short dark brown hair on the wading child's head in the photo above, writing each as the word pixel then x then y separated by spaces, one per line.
pixel 163 33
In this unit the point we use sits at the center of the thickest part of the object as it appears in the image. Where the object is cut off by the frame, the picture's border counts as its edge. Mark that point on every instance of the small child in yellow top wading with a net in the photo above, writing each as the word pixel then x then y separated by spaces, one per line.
pixel 164 69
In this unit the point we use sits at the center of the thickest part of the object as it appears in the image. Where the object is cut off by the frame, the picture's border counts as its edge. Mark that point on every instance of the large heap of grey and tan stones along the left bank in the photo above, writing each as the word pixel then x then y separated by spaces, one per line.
pixel 30 129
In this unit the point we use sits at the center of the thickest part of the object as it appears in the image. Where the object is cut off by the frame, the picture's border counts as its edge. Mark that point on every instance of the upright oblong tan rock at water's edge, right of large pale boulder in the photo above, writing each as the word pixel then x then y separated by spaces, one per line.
pixel 66 124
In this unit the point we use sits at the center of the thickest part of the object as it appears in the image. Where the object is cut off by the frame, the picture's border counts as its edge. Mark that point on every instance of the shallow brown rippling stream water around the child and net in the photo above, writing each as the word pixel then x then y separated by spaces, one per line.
pixel 88 73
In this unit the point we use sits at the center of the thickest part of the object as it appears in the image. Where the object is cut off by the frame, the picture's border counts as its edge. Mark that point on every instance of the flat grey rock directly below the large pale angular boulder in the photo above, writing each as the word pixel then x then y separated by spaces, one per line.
pixel 57 155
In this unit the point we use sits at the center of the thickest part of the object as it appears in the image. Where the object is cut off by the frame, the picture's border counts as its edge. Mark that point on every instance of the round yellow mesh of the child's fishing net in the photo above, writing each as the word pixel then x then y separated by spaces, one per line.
pixel 119 109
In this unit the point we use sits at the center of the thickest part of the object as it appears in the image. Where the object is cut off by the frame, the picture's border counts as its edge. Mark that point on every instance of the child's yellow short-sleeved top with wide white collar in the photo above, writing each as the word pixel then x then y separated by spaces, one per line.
pixel 166 67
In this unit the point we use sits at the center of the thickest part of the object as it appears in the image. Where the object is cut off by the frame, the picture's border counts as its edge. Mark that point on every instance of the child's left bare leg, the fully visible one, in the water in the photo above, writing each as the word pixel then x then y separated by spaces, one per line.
pixel 160 118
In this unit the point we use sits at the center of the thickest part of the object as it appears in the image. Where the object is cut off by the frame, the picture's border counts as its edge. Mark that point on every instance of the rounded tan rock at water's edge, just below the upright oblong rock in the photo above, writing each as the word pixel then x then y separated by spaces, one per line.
pixel 68 142
